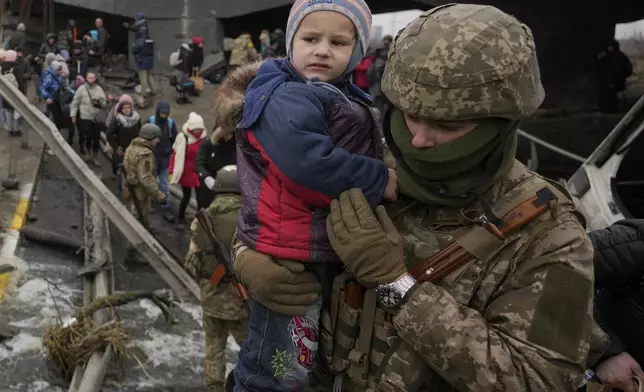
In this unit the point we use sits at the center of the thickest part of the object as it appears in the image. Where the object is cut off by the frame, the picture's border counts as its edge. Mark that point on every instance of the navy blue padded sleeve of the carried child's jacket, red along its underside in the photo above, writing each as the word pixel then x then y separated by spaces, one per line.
pixel 292 136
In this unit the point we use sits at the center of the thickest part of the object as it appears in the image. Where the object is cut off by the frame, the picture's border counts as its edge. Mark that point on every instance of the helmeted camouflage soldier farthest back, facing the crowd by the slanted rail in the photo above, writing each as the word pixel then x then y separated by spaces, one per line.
pixel 140 165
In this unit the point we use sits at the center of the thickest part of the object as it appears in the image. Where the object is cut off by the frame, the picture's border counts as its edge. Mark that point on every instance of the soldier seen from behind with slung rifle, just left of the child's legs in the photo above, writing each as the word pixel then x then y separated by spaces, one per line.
pixel 224 312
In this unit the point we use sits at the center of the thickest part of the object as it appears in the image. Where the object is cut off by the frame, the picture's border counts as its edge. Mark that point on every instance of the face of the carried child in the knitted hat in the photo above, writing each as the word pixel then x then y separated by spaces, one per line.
pixel 323 45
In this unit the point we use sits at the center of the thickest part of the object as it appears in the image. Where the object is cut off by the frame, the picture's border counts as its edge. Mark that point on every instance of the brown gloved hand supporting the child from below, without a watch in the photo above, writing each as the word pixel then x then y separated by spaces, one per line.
pixel 283 286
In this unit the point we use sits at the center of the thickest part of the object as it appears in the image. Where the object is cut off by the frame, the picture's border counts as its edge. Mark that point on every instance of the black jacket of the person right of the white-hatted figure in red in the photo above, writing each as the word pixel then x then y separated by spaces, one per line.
pixel 215 153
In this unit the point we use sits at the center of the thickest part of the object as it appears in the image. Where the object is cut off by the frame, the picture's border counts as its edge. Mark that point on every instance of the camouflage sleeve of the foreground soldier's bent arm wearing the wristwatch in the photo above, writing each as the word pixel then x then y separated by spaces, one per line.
pixel 533 335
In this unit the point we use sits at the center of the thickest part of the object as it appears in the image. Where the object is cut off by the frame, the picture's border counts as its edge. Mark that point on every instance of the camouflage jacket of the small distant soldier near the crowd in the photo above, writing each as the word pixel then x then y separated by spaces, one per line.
pixel 140 164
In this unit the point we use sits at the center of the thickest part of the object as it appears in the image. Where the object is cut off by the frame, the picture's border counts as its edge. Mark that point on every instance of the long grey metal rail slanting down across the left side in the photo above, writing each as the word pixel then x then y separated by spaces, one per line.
pixel 164 264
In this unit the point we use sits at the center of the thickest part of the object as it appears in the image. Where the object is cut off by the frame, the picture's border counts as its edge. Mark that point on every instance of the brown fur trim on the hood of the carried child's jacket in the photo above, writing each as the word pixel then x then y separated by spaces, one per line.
pixel 229 99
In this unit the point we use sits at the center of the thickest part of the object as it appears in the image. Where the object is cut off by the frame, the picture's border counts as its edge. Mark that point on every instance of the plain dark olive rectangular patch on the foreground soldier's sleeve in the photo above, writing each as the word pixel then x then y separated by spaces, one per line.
pixel 561 312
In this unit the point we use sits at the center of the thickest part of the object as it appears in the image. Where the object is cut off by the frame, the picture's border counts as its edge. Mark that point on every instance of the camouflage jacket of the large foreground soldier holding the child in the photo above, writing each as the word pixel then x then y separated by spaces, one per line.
pixel 521 321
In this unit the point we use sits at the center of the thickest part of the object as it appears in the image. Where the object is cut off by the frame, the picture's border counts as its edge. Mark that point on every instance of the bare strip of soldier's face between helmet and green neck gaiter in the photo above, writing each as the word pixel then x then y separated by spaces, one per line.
pixel 427 133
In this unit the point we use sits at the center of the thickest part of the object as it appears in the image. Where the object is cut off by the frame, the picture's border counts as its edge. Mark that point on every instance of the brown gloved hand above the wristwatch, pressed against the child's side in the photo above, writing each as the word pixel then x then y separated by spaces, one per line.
pixel 370 247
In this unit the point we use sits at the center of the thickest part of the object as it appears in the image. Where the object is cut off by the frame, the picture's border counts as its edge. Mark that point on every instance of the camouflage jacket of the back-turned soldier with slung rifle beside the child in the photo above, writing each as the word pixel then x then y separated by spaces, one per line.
pixel 221 302
